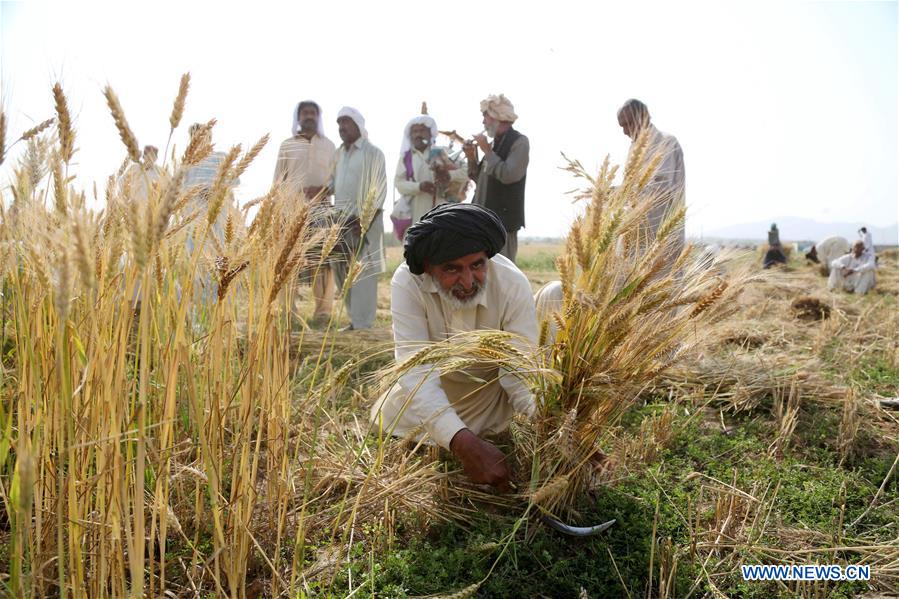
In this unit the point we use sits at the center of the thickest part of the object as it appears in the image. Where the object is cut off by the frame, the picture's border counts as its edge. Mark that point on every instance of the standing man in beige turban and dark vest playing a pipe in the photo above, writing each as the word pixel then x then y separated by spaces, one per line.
pixel 501 175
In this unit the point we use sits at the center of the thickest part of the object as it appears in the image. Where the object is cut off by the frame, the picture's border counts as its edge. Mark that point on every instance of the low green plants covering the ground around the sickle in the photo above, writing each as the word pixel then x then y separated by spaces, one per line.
pixel 450 558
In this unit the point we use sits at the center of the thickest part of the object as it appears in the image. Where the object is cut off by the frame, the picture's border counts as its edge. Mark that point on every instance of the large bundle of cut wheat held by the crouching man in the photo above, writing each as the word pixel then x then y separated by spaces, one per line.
pixel 634 305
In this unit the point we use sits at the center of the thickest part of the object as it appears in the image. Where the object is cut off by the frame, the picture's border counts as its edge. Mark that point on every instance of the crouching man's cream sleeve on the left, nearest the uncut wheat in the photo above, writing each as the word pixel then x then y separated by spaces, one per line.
pixel 430 404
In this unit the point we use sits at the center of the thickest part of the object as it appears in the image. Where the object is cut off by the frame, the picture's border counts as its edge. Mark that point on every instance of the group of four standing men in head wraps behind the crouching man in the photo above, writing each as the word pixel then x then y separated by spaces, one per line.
pixel 352 180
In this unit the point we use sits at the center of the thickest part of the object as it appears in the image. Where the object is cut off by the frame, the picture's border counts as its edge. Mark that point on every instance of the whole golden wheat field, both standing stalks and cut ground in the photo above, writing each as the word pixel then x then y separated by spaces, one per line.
pixel 173 426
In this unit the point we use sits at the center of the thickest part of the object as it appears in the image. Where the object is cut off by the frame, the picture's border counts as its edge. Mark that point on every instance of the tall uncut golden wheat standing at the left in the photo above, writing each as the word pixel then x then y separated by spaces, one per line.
pixel 148 402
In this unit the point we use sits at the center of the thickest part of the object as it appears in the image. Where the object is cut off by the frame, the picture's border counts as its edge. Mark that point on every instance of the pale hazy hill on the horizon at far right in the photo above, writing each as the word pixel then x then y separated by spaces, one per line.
pixel 797 229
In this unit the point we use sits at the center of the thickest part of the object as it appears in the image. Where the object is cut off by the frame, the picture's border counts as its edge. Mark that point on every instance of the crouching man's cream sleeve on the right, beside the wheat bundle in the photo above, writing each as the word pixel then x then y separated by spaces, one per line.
pixel 521 320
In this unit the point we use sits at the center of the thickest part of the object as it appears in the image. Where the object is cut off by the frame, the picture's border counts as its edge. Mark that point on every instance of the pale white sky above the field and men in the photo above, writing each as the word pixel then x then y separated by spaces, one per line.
pixel 786 109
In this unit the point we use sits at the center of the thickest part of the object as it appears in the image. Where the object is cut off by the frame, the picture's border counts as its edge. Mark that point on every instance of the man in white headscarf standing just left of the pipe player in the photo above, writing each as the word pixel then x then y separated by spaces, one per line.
pixel 424 171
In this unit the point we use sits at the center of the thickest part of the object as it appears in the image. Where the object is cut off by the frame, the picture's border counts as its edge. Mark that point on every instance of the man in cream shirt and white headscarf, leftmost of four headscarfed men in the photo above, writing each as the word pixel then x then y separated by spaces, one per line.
pixel 304 165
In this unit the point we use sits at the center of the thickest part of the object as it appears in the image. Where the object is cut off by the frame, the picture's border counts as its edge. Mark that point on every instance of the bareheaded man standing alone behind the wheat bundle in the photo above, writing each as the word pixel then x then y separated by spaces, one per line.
pixel 668 181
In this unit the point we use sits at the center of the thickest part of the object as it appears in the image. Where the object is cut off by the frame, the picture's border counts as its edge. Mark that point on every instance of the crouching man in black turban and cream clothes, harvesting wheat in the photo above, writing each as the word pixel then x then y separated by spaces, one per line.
pixel 454 280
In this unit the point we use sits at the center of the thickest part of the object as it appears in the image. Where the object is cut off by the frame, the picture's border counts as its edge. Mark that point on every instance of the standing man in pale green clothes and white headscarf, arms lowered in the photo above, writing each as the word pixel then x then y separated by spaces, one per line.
pixel 360 187
